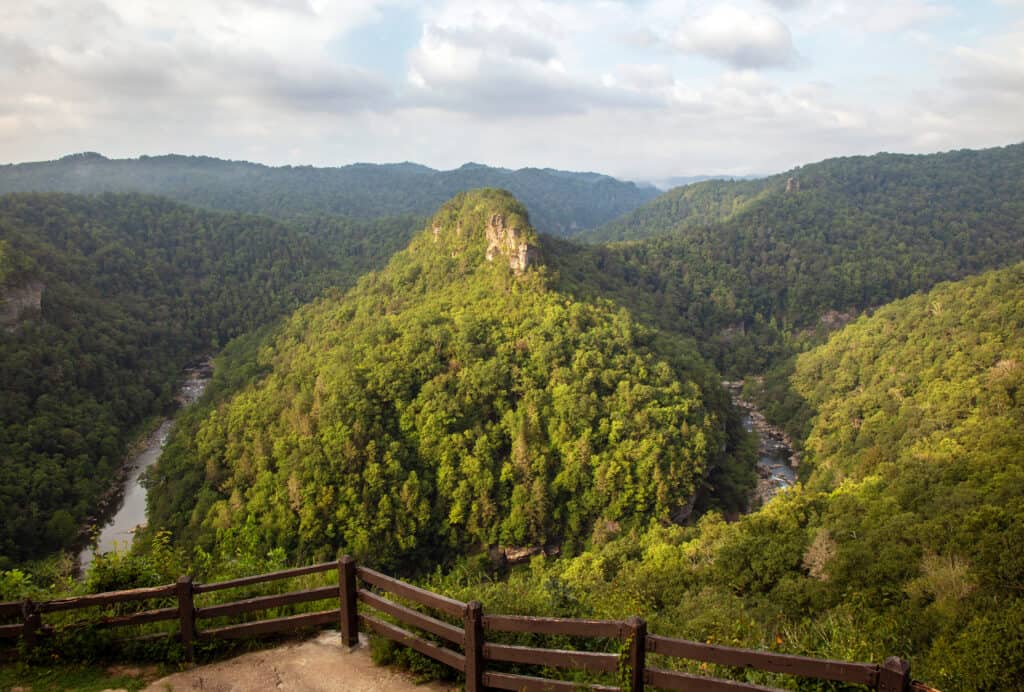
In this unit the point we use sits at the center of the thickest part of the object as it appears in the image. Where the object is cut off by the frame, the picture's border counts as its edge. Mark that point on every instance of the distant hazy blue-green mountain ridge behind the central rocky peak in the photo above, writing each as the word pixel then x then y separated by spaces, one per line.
pixel 561 203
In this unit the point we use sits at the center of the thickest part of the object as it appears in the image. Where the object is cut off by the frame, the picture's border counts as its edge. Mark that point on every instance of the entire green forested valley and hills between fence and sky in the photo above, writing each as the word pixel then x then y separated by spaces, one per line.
pixel 425 390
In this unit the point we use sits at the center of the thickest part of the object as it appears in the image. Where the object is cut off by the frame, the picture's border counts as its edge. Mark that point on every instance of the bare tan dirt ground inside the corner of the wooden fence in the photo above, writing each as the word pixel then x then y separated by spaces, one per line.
pixel 319 665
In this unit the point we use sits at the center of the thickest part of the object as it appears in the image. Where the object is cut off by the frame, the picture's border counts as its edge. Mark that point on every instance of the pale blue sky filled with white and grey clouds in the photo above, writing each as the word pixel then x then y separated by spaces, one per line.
pixel 641 90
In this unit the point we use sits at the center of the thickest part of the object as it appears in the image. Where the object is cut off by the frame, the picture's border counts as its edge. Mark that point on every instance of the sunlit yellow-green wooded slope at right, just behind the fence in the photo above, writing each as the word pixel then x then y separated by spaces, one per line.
pixel 905 539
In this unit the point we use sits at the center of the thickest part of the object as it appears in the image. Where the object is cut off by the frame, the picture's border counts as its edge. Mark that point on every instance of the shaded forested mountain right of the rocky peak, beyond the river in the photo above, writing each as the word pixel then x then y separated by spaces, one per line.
pixel 789 258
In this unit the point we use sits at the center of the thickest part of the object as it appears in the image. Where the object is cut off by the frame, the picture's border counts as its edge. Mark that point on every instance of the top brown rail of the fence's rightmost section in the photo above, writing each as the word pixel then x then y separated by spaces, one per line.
pixel 861 674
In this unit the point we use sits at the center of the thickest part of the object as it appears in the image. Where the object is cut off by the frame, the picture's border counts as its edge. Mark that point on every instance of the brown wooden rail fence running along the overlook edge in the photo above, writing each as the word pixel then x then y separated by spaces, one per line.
pixel 463 646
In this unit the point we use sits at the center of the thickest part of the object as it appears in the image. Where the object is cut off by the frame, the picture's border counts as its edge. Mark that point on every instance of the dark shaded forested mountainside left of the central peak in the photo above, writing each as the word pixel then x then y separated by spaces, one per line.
pixel 103 301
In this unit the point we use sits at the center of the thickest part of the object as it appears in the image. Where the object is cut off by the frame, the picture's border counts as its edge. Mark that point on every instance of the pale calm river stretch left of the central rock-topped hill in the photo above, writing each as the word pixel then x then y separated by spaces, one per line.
pixel 120 531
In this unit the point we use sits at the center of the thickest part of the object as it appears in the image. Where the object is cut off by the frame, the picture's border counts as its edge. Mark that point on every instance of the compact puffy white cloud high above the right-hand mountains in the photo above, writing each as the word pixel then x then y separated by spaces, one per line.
pixel 738 38
